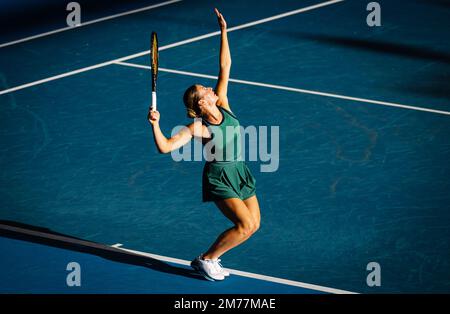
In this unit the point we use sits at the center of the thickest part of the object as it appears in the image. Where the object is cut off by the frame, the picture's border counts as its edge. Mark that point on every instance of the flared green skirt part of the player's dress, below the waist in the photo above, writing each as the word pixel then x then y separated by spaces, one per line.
pixel 227 180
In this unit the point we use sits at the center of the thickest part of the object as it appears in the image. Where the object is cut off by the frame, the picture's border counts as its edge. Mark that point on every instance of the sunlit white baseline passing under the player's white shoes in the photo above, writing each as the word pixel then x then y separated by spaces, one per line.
pixel 247 274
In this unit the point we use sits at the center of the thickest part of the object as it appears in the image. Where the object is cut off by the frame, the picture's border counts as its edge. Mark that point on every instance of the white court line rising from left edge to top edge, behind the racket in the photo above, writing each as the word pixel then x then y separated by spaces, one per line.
pixel 142 53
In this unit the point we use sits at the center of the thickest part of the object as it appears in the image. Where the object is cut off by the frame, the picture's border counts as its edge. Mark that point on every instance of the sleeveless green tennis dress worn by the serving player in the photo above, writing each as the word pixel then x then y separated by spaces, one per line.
pixel 225 174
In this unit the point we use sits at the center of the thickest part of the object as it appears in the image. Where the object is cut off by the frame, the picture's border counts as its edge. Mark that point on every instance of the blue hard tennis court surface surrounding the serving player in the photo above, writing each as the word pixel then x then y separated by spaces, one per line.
pixel 363 115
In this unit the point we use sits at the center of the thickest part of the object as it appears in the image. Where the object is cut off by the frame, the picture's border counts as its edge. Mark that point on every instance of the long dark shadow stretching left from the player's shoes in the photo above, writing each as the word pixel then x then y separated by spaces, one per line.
pixel 20 231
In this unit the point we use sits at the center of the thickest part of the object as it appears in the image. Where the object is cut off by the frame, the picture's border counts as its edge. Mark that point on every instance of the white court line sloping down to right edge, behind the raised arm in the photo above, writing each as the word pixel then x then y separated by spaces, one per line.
pixel 291 89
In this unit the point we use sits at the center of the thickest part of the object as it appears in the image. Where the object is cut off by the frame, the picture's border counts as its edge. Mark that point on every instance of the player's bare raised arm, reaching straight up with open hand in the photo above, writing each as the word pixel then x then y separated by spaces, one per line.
pixel 224 63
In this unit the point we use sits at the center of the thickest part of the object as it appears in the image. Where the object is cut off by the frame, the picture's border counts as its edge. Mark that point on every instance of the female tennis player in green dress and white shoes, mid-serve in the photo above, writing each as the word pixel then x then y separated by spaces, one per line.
pixel 227 181
